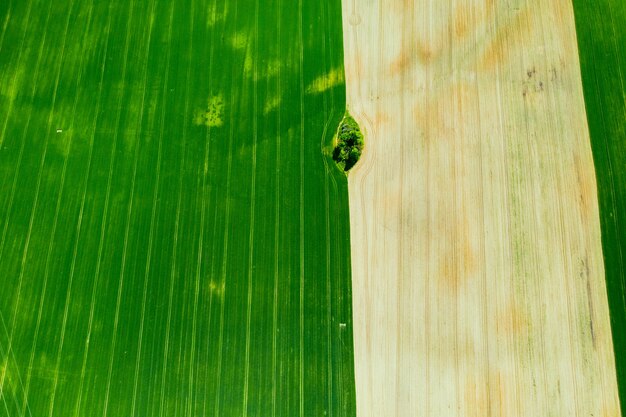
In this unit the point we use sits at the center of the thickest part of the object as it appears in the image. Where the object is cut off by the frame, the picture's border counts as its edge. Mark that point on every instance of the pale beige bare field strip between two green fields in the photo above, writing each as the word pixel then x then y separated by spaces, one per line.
pixel 478 277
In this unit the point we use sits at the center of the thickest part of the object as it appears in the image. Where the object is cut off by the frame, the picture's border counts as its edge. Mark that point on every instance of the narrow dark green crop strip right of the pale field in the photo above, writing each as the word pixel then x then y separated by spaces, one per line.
pixel 601 28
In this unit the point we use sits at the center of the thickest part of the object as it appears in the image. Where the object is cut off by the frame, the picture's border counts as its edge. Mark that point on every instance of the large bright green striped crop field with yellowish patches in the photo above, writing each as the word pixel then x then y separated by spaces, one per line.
pixel 173 240
